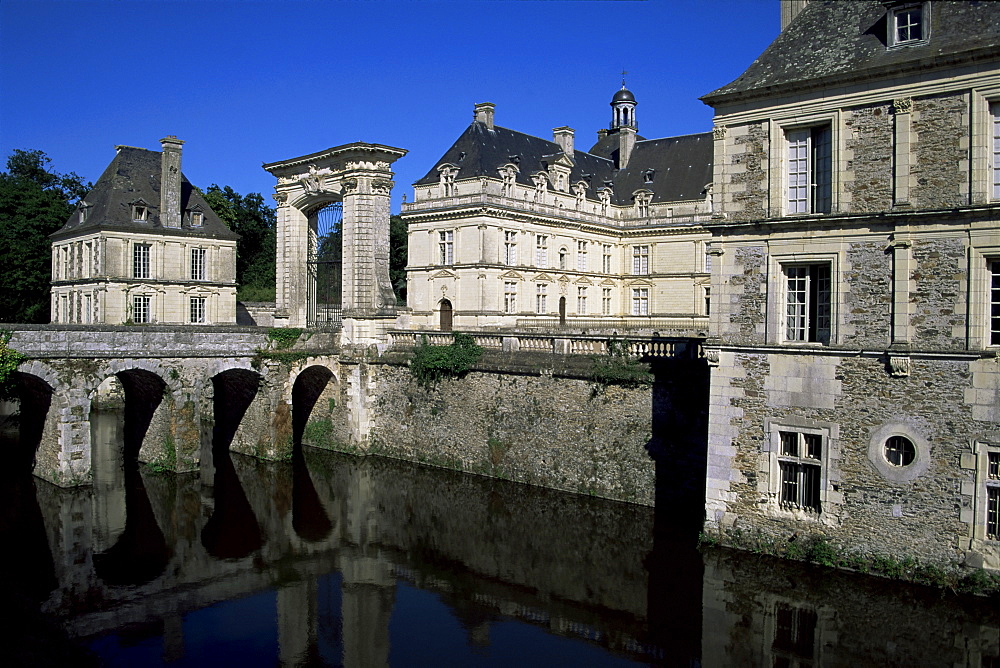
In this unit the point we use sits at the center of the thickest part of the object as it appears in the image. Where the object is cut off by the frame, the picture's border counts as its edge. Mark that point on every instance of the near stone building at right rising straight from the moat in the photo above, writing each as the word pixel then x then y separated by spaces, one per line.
pixel 855 392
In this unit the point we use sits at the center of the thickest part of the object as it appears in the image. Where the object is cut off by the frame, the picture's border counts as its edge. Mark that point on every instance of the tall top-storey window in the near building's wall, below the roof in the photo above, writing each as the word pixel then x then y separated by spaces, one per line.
pixel 809 170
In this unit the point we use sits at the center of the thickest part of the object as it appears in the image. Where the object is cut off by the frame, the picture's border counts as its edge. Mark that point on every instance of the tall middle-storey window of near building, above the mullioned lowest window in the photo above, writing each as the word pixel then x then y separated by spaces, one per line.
pixel 807 303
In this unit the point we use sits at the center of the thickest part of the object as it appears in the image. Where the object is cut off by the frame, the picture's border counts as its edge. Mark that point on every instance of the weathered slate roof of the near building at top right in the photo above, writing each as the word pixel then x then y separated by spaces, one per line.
pixel 834 39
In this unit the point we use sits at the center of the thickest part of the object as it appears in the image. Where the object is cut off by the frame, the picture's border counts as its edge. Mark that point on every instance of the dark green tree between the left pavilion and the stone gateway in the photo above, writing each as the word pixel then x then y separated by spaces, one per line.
pixel 249 216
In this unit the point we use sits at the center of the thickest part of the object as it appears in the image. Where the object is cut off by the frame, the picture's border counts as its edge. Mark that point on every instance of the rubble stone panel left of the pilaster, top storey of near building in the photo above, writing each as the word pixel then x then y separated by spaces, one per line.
pixel 869 140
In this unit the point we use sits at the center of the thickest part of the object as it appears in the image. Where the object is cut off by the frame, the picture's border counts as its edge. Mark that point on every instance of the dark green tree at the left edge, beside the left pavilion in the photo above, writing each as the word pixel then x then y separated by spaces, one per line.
pixel 34 203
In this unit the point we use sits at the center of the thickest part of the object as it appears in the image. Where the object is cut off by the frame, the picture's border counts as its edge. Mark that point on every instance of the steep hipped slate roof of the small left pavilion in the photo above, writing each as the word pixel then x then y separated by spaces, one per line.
pixel 134 174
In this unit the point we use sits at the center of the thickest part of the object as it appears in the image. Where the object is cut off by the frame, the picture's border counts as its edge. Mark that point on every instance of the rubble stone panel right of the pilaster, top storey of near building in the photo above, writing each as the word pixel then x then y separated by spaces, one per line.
pixel 941 126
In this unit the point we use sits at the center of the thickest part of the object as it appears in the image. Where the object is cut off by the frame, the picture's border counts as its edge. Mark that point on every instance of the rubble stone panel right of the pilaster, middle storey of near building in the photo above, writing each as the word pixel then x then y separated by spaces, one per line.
pixel 939 274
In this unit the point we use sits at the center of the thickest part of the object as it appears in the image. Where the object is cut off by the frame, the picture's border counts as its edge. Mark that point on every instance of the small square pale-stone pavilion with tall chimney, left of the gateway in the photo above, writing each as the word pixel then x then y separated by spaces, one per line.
pixel 144 247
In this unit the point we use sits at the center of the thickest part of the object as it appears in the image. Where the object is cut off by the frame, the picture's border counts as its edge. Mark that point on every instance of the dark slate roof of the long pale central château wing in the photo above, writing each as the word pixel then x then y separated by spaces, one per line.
pixel 682 166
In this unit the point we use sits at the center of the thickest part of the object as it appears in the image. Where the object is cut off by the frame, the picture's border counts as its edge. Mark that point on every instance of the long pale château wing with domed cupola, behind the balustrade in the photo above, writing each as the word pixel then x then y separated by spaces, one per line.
pixel 511 230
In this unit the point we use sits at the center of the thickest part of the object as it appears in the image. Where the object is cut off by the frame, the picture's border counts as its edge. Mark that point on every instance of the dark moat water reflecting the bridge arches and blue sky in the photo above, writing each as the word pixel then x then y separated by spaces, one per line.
pixel 334 560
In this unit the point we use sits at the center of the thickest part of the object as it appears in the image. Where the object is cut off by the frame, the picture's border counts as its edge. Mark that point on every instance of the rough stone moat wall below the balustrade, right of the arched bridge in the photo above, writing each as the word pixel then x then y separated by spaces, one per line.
pixel 541 430
